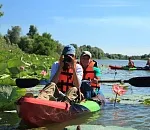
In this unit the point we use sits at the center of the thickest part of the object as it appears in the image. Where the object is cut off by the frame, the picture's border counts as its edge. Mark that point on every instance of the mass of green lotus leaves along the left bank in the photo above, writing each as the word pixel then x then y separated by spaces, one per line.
pixel 14 63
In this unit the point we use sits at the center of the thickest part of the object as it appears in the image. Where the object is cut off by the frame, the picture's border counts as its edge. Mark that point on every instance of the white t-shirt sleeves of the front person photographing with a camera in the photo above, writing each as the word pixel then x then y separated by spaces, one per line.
pixel 79 71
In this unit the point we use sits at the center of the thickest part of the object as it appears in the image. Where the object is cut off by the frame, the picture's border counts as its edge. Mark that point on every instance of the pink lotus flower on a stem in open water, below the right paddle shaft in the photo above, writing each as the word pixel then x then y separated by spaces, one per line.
pixel 118 89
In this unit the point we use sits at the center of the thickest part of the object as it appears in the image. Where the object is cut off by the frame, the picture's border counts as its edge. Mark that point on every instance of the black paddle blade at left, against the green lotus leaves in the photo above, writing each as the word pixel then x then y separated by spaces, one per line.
pixel 27 83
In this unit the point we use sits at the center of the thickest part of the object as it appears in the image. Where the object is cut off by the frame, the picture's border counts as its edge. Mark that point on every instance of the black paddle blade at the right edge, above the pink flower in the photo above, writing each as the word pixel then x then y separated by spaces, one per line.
pixel 139 81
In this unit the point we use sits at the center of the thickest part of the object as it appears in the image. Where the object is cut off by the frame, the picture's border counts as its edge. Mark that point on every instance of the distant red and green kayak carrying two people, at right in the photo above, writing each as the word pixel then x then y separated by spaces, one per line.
pixel 127 68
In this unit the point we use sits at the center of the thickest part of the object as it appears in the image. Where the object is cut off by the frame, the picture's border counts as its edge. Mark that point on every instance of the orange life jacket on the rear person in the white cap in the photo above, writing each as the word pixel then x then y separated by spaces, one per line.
pixel 88 74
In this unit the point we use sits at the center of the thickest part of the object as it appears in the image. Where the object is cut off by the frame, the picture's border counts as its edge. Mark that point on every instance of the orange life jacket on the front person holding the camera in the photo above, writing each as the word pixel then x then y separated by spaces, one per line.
pixel 65 80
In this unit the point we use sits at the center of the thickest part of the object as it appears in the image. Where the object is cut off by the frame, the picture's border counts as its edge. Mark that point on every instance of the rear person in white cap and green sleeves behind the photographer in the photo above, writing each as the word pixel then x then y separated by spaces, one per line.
pixel 91 73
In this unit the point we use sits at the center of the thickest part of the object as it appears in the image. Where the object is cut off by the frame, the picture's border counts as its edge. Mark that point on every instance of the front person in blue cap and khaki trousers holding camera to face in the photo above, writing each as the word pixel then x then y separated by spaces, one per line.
pixel 66 76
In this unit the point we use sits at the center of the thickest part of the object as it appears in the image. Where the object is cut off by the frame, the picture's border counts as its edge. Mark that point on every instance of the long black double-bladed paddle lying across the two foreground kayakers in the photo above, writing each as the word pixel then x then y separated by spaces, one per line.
pixel 135 81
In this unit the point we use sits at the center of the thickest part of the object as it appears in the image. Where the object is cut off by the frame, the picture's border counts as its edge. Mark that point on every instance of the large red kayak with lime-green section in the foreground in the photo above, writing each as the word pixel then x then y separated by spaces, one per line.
pixel 37 112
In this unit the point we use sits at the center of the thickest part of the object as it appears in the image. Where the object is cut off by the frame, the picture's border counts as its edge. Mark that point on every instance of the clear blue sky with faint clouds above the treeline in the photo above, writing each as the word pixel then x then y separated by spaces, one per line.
pixel 115 26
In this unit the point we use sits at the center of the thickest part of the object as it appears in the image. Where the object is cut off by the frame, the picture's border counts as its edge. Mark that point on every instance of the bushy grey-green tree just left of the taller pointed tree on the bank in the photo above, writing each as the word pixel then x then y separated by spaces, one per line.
pixel 14 34
